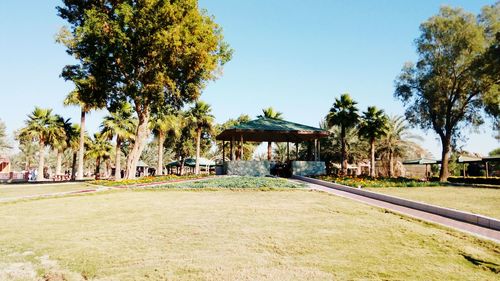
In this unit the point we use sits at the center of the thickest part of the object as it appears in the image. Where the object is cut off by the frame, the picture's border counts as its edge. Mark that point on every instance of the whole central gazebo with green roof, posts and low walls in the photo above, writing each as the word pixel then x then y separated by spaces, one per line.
pixel 271 130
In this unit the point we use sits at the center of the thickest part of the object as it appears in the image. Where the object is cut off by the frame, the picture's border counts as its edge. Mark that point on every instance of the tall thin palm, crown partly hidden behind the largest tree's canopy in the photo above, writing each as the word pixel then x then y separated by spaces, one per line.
pixel 75 98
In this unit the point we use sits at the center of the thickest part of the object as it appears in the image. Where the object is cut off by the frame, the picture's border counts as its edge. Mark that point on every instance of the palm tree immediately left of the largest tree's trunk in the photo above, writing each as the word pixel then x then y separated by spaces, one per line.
pixel 120 123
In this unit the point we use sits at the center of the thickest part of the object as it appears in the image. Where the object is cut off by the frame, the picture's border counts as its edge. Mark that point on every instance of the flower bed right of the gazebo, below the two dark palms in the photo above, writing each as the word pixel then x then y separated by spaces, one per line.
pixel 378 182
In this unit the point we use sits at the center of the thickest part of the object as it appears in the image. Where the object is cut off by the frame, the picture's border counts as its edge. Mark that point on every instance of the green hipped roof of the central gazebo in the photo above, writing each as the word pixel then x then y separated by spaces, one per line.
pixel 274 130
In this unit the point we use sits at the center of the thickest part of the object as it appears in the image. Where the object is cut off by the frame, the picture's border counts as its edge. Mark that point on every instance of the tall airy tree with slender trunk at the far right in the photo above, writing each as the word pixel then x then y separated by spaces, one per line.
pixel 452 81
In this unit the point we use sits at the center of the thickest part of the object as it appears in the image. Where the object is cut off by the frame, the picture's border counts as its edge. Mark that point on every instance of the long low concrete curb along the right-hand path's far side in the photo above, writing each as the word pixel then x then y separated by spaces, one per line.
pixel 475 219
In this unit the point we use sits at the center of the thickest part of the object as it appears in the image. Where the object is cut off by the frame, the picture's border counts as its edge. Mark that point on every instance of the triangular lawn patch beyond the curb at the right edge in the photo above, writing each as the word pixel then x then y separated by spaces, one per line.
pixel 484 201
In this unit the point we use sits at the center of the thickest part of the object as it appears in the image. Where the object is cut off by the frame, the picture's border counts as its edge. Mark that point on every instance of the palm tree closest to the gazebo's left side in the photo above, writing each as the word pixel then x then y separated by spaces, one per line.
pixel 201 119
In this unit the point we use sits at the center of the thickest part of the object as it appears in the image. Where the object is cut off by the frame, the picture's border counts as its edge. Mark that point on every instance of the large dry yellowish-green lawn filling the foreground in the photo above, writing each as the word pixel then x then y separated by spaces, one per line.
pixel 172 234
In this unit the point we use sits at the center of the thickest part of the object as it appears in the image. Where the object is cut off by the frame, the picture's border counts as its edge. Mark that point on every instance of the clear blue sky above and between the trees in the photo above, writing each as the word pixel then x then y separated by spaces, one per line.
pixel 294 55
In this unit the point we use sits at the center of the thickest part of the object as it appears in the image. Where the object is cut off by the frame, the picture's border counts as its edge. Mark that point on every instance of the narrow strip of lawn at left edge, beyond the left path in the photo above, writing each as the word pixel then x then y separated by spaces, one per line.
pixel 14 190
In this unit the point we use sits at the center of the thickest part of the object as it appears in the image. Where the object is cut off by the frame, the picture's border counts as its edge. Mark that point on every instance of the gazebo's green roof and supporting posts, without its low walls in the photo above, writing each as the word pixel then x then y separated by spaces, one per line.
pixel 270 130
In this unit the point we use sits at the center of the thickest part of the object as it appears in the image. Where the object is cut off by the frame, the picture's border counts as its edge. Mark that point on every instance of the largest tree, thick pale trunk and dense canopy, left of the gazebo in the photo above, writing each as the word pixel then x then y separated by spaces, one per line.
pixel 152 52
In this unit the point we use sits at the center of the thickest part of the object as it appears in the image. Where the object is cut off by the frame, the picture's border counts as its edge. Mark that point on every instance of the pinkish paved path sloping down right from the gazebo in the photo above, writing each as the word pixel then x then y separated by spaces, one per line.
pixel 483 232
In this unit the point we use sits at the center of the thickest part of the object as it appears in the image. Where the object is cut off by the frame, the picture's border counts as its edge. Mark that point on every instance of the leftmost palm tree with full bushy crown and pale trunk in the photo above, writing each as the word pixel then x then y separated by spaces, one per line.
pixel 43 127
